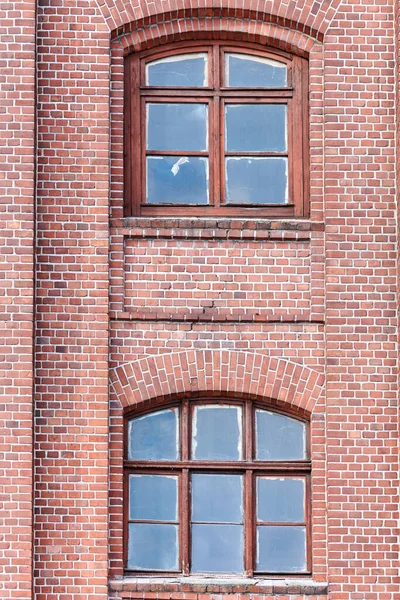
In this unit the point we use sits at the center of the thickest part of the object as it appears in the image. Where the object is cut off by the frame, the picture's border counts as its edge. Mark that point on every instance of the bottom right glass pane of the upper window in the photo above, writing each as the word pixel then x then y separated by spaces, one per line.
pixel 256 180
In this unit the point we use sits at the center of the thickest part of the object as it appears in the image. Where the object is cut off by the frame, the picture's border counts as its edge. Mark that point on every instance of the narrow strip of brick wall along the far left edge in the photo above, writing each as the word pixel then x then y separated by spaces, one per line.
pixel 17 93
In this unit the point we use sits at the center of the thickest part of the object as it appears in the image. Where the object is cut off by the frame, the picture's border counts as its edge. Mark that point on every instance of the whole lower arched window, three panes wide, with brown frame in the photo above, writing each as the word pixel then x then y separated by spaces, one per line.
pixel 217 487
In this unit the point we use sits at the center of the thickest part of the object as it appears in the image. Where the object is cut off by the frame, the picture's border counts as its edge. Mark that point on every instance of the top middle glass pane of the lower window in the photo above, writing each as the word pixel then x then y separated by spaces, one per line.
pixel 217 433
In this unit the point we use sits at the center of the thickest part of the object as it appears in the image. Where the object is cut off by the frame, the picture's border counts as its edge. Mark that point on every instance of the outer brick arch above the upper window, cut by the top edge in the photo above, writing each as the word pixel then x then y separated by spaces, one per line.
pixel 311 17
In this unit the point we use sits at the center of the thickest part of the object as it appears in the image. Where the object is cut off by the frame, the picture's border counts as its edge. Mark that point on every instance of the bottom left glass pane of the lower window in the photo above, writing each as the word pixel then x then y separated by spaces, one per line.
pixel 153 547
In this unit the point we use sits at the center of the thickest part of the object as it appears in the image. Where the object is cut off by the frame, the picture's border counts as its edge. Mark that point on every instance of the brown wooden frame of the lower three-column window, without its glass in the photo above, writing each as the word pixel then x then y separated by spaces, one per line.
pixel 249 467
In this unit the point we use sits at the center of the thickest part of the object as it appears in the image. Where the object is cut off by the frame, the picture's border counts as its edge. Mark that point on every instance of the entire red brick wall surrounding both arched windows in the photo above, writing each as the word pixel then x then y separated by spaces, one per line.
pixel 311 323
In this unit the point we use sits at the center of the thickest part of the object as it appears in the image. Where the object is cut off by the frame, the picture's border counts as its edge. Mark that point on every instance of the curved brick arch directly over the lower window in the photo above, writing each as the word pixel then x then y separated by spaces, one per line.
pixel 285 383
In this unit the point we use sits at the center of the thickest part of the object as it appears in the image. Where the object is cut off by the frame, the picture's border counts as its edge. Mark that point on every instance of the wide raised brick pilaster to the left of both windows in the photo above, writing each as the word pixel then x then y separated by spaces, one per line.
pixel 71 500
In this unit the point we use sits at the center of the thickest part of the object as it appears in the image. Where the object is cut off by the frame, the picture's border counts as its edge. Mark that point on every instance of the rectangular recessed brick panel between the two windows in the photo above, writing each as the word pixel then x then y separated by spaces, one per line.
pixel 190 277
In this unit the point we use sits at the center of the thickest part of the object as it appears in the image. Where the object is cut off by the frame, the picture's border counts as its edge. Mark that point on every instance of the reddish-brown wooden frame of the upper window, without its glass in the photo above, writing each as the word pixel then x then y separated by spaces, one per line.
pixel 294 95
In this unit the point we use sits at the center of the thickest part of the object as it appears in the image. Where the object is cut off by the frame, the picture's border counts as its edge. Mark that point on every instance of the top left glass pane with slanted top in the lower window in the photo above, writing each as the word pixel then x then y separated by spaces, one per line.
pixel 154 436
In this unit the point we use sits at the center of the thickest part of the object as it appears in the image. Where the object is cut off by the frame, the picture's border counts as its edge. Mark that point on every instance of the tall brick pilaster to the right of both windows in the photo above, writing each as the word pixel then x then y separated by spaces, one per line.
pixel 361 267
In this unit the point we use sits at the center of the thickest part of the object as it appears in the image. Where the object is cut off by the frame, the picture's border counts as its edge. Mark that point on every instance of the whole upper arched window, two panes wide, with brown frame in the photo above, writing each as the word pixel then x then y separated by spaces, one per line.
pixel 216 130
